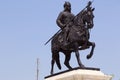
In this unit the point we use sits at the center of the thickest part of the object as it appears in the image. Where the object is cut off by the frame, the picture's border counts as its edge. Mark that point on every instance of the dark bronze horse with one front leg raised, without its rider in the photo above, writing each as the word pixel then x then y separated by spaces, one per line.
pixel 78 39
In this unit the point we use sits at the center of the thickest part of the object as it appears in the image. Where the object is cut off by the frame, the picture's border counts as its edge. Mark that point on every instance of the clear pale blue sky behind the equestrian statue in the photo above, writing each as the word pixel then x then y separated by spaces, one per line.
pixel 25 25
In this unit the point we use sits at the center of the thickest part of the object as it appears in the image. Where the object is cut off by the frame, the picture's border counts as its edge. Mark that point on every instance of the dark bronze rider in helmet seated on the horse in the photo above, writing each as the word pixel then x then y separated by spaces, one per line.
pixel 65 17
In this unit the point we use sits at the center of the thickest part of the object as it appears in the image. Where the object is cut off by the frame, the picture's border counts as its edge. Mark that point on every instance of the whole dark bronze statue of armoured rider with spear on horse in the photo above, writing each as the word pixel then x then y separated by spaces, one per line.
pixel 73 36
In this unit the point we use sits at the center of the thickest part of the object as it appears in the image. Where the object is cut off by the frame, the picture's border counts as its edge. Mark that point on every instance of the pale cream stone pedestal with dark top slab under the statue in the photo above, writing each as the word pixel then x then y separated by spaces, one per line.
pixel 80 74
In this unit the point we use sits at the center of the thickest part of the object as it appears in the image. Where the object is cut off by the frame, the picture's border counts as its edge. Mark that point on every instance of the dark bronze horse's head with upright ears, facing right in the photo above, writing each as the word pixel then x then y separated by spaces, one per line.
pixel 88 17
